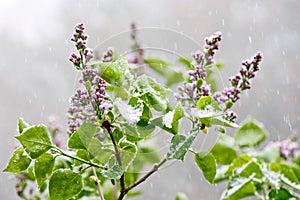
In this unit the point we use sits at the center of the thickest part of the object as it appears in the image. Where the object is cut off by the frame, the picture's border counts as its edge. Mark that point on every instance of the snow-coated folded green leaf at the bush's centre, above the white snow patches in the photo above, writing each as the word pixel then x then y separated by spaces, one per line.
pixel 152 93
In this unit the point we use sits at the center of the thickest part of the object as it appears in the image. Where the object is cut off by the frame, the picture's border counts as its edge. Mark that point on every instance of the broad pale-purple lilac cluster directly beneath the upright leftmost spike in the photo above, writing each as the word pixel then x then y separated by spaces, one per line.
pixel 88 104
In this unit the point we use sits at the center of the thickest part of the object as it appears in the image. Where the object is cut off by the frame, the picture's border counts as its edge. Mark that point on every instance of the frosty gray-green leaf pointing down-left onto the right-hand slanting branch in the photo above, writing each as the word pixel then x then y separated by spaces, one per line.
pixel 181 143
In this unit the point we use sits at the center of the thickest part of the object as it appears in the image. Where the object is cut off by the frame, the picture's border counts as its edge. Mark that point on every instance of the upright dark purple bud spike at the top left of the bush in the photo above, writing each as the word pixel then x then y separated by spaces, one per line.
pixel 85 54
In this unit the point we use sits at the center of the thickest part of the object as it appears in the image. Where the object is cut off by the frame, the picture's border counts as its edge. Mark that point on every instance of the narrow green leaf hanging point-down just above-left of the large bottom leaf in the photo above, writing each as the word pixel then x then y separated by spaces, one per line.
pixel 43 167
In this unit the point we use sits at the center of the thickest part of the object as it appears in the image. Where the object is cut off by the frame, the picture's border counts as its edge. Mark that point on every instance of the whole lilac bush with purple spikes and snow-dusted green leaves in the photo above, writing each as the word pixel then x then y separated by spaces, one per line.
pixel 114 113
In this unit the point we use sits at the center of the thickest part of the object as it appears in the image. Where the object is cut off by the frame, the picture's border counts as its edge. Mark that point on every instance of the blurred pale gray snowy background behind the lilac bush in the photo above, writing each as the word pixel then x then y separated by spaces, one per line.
pixel 37 78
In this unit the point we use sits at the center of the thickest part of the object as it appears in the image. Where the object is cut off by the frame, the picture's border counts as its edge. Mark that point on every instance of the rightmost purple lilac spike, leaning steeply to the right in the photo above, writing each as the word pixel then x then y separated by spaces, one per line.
pixel 239 82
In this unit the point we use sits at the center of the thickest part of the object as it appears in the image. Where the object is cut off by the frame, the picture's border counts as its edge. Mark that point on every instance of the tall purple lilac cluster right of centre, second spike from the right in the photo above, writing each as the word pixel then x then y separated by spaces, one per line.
pixel 197 87
